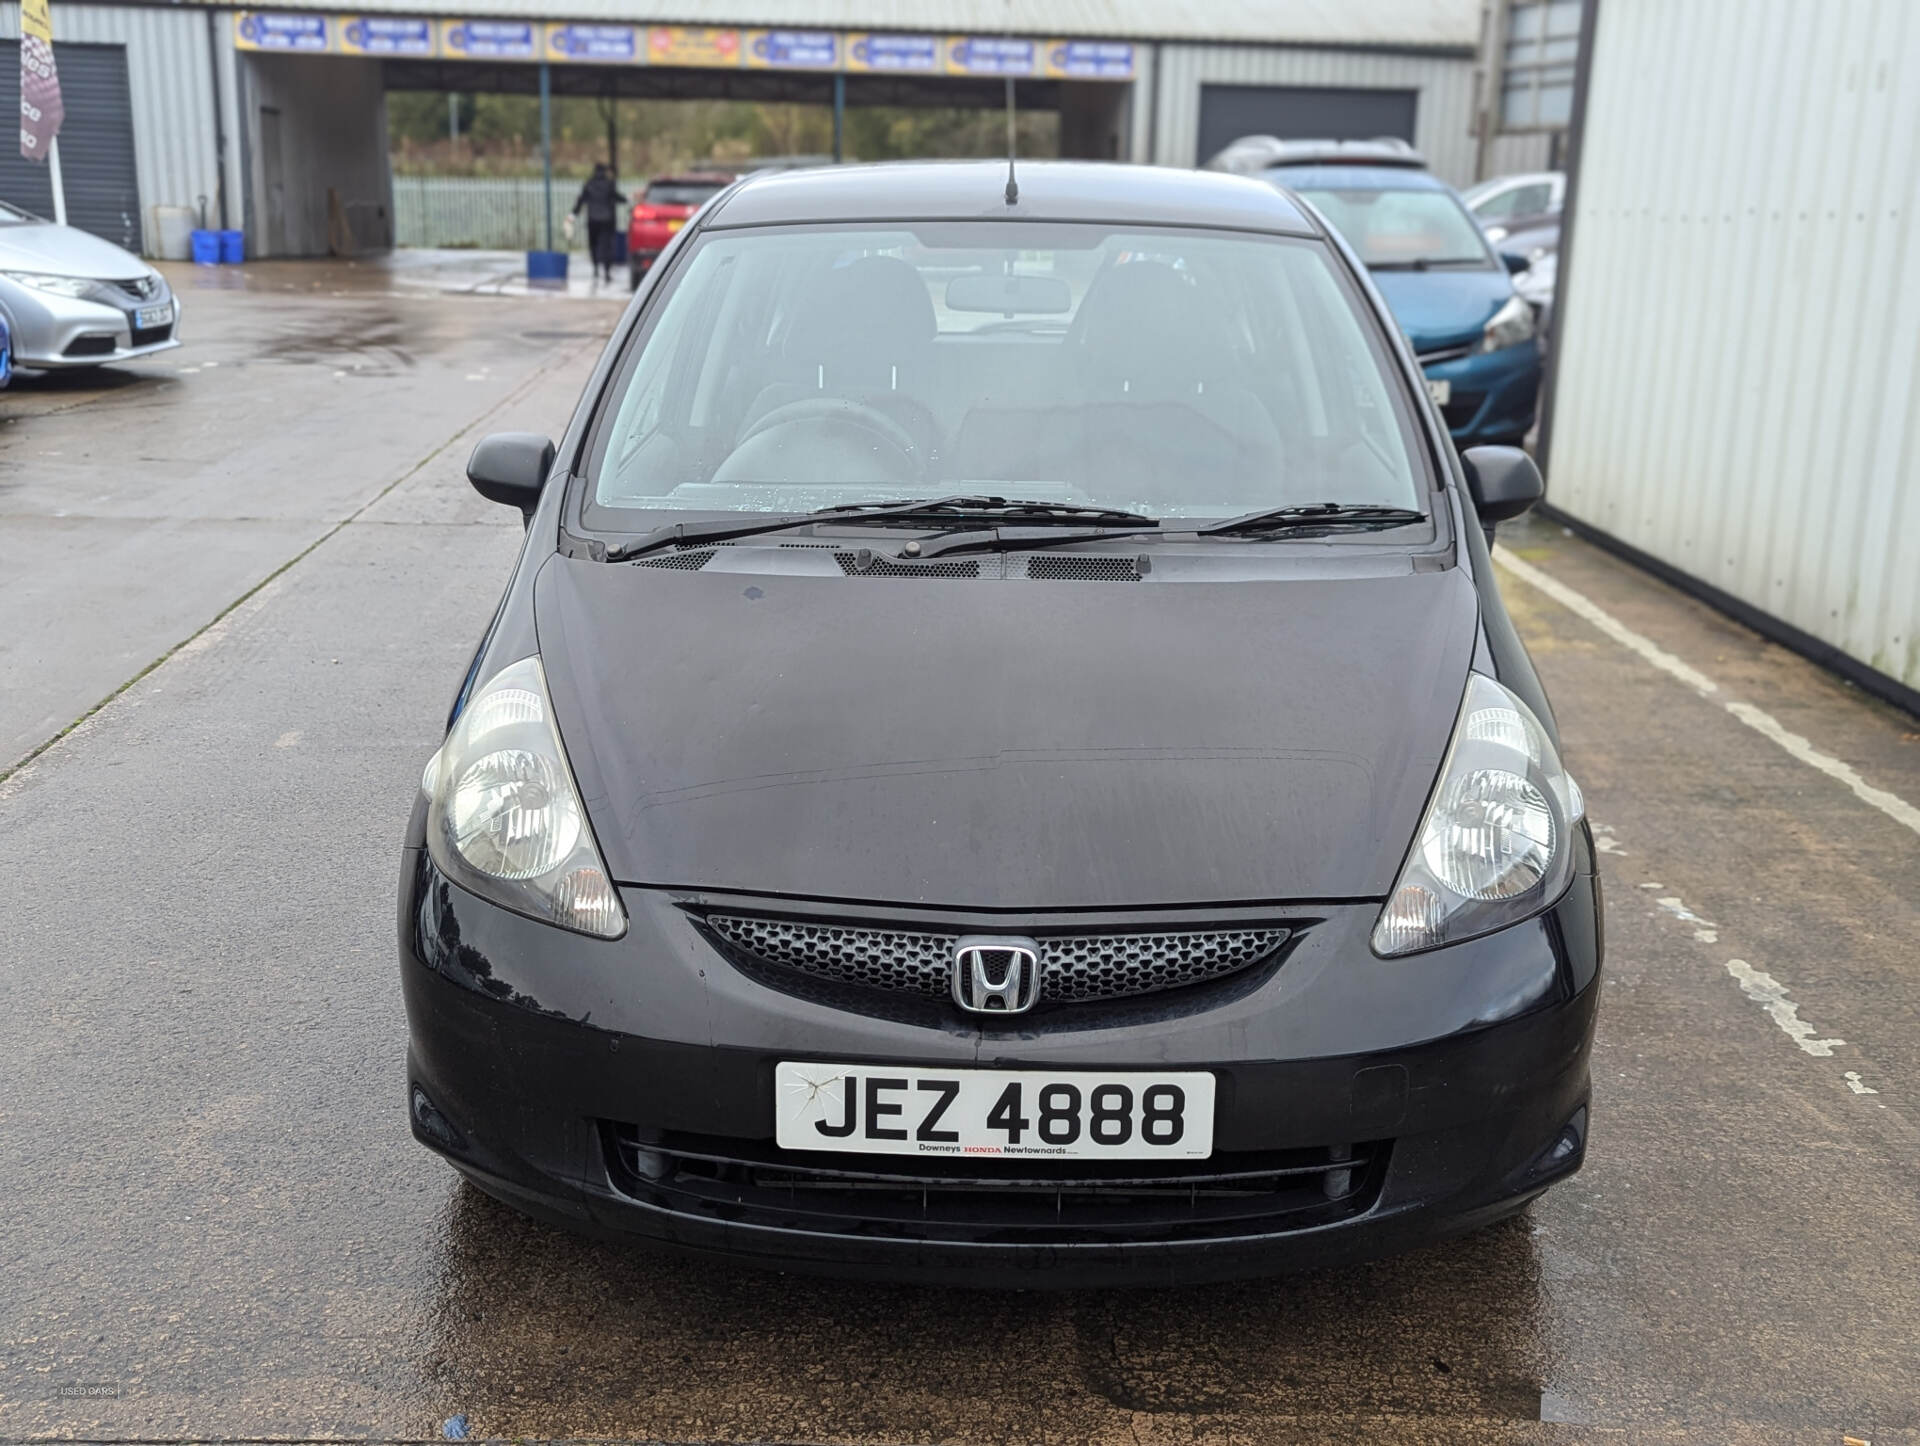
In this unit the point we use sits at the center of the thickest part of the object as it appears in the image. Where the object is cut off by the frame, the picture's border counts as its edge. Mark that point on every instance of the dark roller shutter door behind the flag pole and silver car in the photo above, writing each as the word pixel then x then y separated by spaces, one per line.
pixel 95 143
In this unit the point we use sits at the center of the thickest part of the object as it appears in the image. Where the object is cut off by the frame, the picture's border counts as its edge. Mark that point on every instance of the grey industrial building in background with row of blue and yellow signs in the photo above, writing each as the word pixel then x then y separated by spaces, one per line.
pixel 276 122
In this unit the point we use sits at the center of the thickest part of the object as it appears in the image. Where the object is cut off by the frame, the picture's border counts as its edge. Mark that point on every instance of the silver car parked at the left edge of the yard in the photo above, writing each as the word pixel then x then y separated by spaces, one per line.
pixel 74 301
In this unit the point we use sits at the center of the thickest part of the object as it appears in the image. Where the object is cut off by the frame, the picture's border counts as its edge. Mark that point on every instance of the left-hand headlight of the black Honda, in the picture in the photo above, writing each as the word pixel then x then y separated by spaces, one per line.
pixel 506 817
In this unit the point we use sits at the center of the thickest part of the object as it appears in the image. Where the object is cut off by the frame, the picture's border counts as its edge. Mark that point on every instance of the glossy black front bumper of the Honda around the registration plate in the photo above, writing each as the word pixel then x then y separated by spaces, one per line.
pixel 627 1090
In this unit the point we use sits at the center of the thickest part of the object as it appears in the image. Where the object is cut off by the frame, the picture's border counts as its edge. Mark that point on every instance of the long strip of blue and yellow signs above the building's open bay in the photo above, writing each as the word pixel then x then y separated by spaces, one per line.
pixel 708 47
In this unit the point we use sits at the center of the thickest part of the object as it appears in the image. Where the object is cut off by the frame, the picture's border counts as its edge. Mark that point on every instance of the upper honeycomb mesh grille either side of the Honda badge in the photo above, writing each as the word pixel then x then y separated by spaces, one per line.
pixel 1074 967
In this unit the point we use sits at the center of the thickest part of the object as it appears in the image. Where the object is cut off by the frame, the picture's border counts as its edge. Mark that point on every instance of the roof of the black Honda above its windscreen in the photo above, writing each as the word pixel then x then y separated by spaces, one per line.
pixel 976 191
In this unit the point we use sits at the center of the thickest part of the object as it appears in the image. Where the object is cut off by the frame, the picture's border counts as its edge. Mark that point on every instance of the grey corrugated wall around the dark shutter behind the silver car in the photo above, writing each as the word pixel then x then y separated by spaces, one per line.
pixel 168 74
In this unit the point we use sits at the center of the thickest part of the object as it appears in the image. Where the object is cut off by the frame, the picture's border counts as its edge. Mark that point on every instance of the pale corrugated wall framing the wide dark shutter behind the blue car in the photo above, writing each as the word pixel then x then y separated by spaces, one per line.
pixel 1445 85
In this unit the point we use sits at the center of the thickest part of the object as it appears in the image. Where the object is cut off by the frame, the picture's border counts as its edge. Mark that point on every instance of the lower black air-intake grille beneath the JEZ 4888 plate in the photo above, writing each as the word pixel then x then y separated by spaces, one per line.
pixel 996 1201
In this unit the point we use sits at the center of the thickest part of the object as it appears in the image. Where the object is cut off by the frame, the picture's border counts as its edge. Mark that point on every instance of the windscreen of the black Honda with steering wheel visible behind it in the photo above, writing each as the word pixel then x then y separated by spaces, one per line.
pixel 1170 374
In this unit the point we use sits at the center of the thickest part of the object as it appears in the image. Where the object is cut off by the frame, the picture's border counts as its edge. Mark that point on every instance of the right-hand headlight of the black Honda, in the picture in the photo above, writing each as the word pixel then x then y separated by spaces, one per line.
pixel 1497 842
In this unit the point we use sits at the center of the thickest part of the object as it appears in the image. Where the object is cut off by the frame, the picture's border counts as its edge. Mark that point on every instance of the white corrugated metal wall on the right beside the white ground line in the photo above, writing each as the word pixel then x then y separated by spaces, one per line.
pixel 1740 345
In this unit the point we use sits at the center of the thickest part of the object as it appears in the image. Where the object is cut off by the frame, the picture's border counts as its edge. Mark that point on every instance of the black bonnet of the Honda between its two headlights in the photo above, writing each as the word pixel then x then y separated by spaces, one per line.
pixel 984 744
